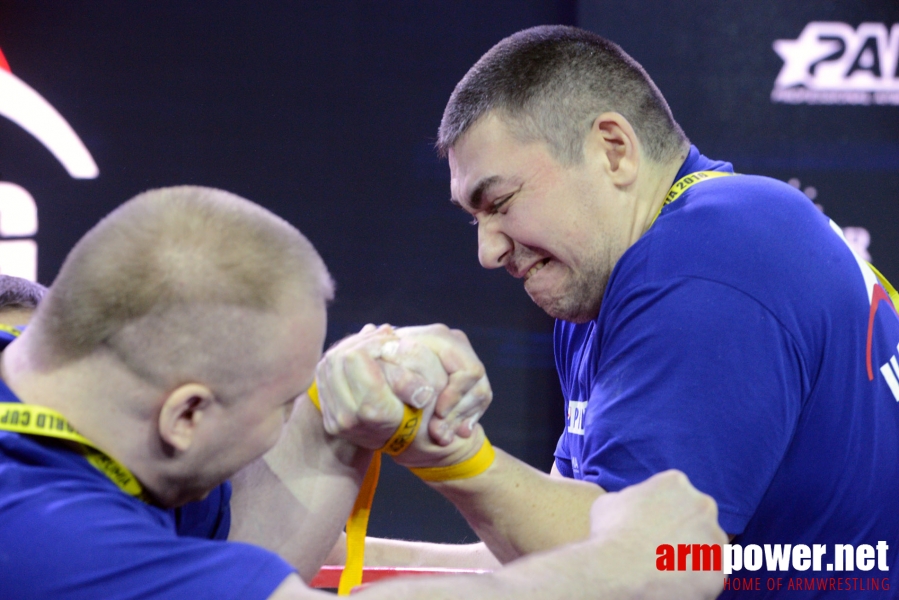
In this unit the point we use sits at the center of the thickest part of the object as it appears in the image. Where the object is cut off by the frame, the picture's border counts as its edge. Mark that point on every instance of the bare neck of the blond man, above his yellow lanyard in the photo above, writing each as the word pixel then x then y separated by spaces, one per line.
pixel 102 400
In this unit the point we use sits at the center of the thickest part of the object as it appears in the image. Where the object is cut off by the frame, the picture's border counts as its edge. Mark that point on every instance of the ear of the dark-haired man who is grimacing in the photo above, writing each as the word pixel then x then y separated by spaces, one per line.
pixel 614 142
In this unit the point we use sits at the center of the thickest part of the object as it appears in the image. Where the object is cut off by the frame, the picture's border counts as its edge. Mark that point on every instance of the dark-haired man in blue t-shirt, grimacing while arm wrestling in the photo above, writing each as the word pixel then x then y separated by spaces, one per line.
pixel 705 321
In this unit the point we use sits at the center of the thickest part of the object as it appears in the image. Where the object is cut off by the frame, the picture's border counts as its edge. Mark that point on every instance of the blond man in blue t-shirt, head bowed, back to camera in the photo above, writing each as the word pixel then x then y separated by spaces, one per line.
pixel 167 357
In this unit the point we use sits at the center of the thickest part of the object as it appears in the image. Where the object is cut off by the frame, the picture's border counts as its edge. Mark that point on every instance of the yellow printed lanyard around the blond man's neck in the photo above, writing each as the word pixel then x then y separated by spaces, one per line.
pixel 46 422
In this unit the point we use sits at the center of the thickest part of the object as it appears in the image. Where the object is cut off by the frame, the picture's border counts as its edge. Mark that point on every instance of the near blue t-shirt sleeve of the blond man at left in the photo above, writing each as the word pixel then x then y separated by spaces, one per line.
pixel 81 542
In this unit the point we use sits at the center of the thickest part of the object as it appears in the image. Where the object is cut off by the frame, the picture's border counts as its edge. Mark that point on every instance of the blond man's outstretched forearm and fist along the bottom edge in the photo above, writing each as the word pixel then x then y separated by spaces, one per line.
pixel 618 560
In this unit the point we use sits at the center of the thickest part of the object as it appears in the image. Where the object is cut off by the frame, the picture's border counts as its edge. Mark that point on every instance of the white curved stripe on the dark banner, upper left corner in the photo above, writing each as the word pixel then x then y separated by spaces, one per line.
pixel 24 106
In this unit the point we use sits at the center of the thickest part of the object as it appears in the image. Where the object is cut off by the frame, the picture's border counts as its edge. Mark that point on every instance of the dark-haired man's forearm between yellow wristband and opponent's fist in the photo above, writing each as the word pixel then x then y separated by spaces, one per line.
pixel 516 509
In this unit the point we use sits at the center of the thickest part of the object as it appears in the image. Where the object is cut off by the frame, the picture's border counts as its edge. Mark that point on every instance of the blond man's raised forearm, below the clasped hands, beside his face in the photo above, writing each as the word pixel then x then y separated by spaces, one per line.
pixel 295 500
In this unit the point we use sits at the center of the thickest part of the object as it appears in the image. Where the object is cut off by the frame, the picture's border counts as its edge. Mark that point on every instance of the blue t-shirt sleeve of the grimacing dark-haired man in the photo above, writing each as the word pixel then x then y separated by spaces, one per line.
pixel 694 375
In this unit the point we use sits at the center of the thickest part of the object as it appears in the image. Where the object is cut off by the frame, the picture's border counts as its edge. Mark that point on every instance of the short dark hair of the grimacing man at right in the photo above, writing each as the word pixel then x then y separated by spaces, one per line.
pixel 550 83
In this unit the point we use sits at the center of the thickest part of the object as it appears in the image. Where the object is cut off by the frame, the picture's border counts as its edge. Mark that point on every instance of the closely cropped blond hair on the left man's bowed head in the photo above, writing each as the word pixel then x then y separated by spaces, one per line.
pixel 173 278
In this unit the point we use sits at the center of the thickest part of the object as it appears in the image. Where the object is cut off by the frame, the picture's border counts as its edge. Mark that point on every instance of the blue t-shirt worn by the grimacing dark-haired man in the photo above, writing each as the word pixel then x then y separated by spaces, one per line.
pixel 741 341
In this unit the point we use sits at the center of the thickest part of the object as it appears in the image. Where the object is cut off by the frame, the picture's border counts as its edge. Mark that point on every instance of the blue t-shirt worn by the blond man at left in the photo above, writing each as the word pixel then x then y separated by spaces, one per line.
pixel 67 531
